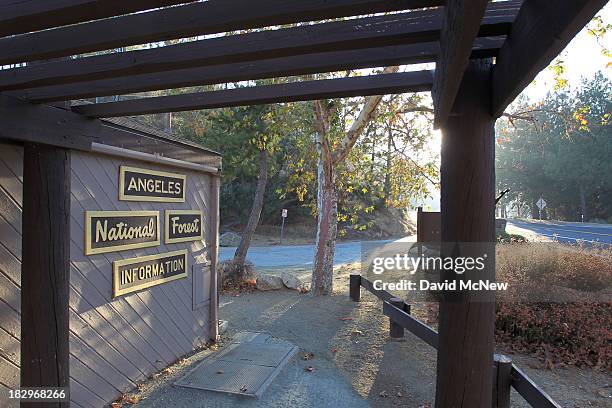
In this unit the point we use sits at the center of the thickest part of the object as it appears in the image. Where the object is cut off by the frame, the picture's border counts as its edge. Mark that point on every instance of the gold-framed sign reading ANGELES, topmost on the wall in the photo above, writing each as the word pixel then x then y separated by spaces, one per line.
pixel 150 185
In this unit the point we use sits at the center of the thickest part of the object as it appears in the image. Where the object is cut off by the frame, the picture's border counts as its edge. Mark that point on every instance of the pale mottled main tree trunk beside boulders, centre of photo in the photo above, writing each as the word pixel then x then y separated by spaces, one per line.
pixel 327 228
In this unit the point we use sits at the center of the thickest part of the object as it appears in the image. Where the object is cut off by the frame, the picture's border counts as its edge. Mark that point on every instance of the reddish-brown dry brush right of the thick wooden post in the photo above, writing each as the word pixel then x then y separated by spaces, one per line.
pixel 558 306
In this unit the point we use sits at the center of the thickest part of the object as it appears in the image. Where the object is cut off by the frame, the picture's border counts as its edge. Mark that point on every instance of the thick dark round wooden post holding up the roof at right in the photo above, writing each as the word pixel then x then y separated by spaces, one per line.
pixel 465 354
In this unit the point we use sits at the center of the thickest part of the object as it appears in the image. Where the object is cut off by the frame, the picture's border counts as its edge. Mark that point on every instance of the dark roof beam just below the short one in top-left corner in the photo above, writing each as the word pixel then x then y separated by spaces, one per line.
pixel 213 16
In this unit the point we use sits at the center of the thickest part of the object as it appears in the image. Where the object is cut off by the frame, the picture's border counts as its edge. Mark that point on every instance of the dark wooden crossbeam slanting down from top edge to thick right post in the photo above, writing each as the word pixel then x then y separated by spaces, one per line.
pixel 460 28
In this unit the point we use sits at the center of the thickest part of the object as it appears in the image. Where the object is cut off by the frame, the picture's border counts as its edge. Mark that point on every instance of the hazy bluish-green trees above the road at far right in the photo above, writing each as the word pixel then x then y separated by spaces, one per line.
pixel 560 149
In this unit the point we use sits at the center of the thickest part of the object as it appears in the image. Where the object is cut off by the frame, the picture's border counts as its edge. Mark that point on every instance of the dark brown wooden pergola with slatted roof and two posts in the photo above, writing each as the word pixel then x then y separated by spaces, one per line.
pixel 485 52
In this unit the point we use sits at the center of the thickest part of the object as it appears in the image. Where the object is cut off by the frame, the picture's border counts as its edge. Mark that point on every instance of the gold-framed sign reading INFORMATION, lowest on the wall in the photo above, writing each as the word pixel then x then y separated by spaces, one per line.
pixel 131 275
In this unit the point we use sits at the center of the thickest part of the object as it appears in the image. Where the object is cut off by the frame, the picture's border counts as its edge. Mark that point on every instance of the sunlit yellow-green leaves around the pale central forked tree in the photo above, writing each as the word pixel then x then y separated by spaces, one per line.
pixel 385 169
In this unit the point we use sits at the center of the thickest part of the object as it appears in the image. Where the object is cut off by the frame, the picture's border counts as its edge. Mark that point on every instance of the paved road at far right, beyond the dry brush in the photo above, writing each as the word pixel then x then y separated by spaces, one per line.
pixel 565 232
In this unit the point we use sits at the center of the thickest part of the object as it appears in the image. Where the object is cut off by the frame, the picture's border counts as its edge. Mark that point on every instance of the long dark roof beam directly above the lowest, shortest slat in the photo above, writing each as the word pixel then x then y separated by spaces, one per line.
pixel 275 67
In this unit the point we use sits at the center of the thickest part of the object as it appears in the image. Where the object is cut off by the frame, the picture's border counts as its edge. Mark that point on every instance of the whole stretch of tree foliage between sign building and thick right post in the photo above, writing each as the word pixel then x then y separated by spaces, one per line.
pixel 386 168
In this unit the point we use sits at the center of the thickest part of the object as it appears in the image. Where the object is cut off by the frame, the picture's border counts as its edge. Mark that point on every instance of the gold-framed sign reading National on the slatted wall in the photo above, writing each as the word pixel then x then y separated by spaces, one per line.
pixel 108 231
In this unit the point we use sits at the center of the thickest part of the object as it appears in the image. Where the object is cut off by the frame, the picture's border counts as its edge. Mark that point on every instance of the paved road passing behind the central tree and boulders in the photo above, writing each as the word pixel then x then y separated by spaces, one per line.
pixel 298 255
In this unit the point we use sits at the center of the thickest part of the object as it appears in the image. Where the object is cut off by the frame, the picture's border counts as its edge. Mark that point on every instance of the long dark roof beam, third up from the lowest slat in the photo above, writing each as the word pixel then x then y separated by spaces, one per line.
pixel 397 29
